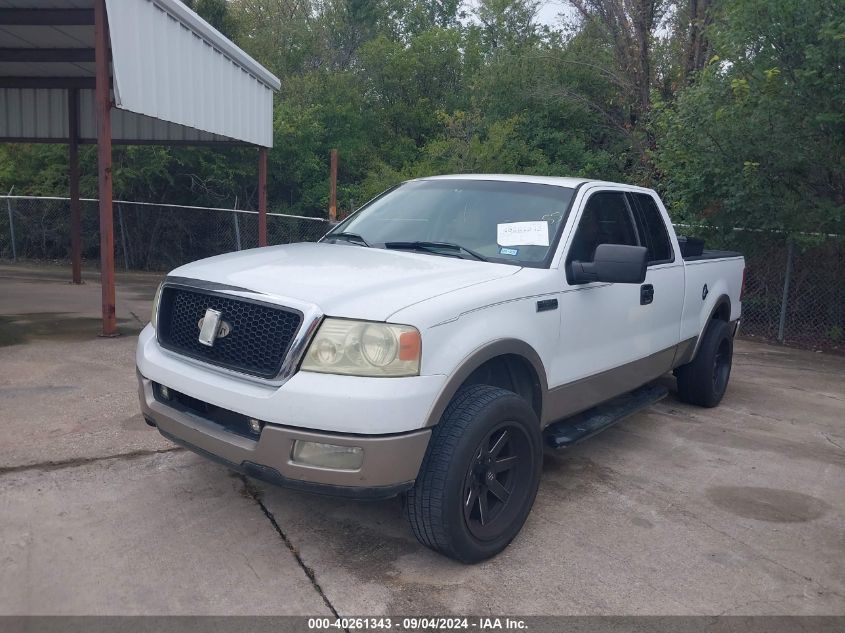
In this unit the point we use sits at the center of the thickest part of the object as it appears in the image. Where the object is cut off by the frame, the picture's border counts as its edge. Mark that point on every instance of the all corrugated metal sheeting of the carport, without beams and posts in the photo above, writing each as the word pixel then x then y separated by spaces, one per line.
pixel 167 64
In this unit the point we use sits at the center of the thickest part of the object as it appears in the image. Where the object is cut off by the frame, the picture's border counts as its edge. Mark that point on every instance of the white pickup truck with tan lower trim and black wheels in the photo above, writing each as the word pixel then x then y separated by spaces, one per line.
pixel 434 341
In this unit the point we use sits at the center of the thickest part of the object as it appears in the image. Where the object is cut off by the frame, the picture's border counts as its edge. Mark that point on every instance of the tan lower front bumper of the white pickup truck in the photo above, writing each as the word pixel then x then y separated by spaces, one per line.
pixel 390 465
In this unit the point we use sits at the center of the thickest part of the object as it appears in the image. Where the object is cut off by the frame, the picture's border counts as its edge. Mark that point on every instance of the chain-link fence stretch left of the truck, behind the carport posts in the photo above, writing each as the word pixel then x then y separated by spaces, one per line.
pixel 147 236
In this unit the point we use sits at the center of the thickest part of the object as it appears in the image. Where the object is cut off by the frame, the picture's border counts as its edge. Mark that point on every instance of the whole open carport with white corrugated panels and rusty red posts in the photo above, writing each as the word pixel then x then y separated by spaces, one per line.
pixel 128 71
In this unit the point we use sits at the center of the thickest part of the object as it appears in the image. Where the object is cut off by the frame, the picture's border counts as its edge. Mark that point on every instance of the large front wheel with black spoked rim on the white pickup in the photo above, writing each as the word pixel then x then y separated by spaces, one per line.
pixel 486 435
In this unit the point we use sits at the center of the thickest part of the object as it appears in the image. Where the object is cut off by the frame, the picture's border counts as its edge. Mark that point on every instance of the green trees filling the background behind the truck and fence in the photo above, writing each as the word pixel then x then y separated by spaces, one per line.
pixel 734 108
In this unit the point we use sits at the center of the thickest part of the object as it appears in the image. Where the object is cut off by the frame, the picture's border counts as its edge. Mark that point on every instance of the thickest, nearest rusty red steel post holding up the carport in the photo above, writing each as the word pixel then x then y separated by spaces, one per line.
pixel 102 97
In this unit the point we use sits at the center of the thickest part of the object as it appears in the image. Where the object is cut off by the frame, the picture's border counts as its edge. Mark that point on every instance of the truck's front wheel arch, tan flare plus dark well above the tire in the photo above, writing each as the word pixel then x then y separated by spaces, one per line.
pixel 517 355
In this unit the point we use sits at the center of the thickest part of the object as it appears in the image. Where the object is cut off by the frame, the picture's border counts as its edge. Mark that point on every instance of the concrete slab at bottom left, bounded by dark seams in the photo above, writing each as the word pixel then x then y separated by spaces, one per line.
pixel 159 534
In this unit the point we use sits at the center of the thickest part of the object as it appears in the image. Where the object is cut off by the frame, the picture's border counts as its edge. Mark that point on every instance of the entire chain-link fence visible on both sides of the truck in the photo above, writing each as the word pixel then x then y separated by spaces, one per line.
pixel 794 286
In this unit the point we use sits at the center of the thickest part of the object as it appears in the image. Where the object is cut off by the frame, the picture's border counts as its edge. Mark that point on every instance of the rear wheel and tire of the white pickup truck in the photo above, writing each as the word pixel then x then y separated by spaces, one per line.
pixel 704 380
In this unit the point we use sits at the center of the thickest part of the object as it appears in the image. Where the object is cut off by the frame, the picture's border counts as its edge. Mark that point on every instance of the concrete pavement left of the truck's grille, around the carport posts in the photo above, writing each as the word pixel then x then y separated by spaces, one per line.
pixel 68 386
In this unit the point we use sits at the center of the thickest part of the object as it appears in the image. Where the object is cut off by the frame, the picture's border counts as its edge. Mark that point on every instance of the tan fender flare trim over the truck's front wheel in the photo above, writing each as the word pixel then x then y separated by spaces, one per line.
pixel 476 359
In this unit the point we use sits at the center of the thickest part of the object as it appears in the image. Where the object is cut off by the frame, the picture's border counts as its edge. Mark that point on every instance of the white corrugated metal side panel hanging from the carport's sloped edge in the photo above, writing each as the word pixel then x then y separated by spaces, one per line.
pixel 167 68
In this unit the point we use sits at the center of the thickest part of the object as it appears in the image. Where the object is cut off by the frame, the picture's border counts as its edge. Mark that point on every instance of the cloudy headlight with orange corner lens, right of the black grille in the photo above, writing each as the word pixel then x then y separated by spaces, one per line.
pixel 364 348
